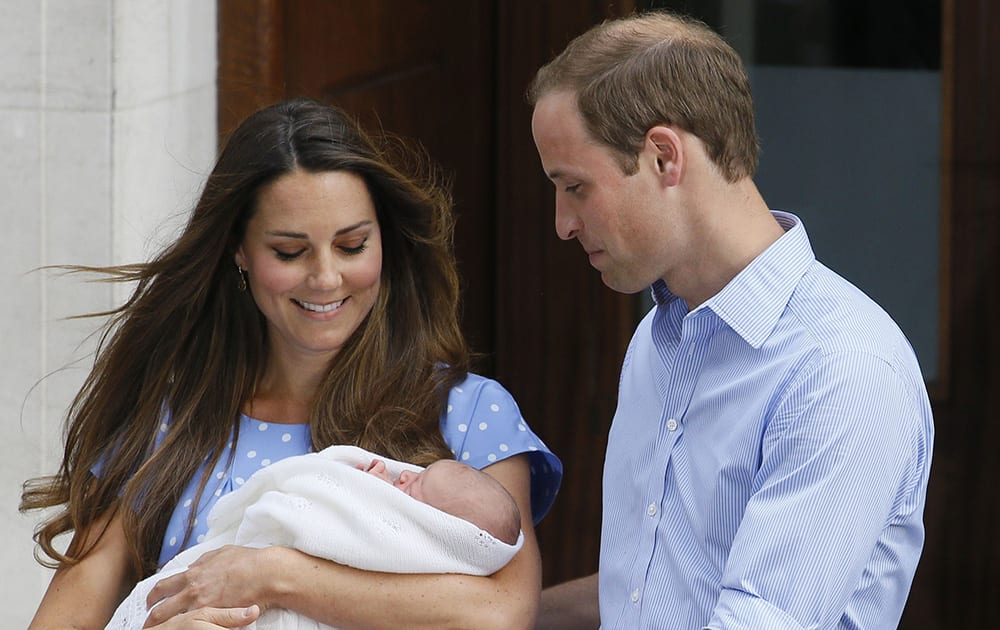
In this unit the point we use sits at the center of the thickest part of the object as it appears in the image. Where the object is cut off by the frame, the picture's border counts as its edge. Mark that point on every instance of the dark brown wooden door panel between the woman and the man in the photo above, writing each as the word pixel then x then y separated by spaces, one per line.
pixel 561 334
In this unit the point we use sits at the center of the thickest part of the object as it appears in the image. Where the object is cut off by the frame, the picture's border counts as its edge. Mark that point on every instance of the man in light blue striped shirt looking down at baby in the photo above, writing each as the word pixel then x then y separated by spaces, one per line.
pixel 768 460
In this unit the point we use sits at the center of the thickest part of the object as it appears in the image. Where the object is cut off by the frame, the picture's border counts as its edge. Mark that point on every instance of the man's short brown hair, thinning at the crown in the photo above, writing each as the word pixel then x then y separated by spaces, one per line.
pixel 656 68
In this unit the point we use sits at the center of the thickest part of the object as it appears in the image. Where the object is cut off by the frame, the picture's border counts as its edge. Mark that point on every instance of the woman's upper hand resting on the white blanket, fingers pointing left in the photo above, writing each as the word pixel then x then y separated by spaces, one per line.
pixel 227 578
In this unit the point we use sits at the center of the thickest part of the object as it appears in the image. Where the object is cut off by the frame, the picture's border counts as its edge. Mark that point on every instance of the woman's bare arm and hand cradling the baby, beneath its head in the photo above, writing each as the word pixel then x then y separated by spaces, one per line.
pixel 341 596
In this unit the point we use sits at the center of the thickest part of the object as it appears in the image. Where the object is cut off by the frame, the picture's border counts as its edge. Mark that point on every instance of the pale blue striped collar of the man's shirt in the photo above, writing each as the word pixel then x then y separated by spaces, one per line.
pixel 752 302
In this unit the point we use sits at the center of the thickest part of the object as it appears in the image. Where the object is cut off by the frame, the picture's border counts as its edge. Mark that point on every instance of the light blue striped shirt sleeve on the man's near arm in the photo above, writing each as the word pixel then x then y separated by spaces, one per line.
pixel 843 472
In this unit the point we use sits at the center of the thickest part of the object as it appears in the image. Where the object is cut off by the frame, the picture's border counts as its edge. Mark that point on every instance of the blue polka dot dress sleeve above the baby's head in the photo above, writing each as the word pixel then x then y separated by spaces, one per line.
pixel 483 425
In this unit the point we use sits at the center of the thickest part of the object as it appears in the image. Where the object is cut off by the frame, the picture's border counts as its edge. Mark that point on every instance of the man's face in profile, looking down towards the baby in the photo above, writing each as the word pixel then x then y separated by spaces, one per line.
pixel 617 218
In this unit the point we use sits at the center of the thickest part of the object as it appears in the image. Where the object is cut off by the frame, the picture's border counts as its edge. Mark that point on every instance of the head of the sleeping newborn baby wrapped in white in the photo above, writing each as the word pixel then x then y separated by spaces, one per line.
pixel 467 493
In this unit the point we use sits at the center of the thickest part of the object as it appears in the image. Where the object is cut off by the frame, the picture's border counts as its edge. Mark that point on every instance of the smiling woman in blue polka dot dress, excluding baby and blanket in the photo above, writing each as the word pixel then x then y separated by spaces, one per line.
pixel 311 300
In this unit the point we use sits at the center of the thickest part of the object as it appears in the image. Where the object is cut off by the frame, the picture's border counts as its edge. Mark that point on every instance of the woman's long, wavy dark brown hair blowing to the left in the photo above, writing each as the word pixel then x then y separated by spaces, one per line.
pixel 188 340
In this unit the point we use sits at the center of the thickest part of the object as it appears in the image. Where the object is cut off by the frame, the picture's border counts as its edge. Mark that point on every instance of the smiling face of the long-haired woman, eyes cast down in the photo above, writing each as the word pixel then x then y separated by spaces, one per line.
pixel 313 255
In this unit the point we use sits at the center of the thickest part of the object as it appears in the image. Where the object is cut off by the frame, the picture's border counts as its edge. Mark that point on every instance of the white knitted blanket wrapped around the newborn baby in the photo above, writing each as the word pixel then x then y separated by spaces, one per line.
pixel 323 505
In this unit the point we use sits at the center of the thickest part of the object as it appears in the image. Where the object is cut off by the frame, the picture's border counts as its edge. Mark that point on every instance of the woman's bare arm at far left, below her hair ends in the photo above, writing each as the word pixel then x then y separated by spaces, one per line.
pixel 85 594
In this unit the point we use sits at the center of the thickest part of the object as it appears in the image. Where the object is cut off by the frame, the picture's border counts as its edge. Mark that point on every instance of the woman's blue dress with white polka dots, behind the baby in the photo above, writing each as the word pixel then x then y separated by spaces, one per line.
pixel 482 425
